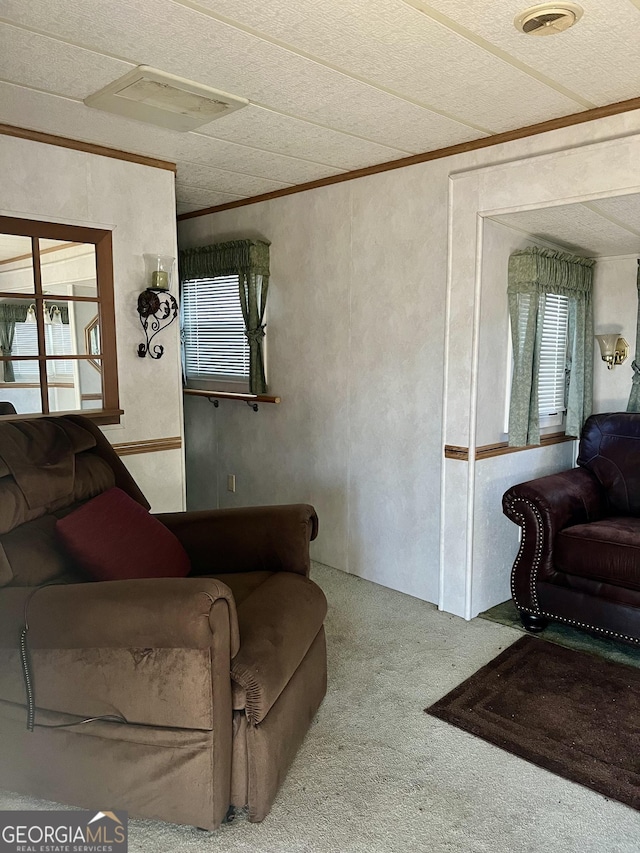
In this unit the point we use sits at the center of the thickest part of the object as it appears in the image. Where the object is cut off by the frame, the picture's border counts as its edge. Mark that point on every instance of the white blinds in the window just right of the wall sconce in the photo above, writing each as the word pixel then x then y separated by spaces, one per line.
pixel 214 343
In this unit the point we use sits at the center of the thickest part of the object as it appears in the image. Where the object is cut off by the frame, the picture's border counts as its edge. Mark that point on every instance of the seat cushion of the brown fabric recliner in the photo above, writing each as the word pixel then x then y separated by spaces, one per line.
pixel 278 624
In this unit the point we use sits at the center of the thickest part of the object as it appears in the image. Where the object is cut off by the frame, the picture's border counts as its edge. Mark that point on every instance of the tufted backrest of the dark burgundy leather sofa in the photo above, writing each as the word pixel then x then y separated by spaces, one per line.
pixel 610 449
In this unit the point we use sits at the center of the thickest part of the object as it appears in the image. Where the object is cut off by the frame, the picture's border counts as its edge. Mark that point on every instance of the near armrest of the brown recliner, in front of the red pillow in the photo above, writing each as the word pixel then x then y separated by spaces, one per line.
pixel 148 613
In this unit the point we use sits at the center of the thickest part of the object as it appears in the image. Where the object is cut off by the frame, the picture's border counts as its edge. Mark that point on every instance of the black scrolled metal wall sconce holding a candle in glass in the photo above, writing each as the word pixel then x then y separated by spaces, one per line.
pixel 156 306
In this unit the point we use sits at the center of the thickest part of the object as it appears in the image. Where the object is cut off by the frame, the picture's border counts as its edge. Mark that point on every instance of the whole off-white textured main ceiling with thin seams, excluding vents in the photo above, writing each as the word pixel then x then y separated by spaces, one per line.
pixel 333 86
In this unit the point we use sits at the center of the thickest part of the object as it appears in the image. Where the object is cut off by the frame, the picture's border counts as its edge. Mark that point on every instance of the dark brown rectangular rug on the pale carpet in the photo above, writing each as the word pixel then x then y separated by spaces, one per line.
pixel 560 709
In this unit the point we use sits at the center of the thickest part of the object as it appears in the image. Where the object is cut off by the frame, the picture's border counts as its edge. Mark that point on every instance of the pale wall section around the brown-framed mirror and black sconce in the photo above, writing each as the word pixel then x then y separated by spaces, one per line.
pixel 138 204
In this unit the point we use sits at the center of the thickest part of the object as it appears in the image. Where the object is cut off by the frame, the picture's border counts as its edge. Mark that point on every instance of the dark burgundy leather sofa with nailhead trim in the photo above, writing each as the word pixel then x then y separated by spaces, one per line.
pixel 579 557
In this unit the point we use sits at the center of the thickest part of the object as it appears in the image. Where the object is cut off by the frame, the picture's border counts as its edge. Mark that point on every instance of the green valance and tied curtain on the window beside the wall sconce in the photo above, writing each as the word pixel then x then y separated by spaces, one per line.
pixel 249 260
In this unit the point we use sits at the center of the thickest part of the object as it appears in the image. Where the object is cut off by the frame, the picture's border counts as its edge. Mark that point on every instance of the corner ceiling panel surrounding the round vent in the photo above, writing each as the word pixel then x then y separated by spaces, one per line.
pixel 599 57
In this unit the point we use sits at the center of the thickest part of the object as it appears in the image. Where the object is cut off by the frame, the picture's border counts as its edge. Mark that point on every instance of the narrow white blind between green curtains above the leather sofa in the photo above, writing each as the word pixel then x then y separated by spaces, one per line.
pixel 553 358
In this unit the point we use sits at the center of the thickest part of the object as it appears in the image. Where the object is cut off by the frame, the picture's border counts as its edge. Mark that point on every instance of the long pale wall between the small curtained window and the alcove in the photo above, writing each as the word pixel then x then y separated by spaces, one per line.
pixel 355 338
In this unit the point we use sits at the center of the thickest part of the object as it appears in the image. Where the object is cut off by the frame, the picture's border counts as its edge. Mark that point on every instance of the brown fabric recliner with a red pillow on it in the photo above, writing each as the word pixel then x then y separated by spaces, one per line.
pixel 205 685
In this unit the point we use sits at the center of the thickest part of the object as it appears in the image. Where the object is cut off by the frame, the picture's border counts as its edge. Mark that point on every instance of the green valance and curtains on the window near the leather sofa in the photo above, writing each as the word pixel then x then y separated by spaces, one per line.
pixel 533 273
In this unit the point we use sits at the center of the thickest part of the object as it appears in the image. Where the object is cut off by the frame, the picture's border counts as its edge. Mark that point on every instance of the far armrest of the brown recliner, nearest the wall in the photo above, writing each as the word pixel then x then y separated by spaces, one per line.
pixel 266 538
